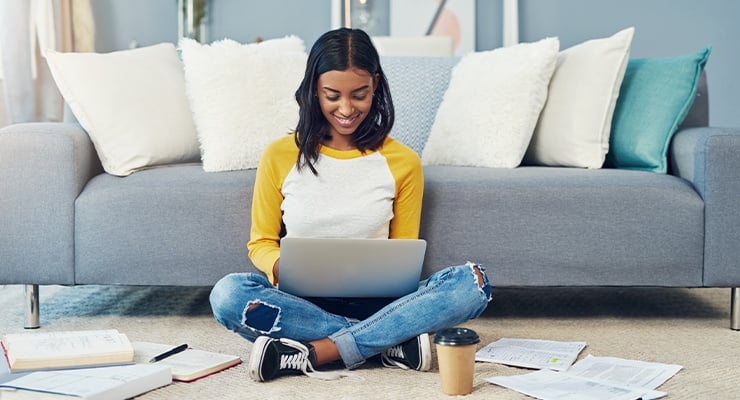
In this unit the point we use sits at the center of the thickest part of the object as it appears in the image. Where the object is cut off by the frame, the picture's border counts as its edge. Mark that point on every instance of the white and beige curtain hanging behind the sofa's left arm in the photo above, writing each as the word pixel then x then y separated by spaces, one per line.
pixel 27 29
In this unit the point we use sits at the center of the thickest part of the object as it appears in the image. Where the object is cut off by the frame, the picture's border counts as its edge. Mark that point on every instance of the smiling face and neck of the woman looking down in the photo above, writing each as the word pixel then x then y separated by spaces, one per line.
pixel 346 98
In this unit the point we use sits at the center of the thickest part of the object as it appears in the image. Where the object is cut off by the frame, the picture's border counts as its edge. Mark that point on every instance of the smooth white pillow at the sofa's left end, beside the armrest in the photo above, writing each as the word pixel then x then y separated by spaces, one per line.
pixel 132 104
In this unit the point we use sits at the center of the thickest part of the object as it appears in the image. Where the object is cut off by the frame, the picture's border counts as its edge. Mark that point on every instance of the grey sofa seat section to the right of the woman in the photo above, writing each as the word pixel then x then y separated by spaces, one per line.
pixel 545 226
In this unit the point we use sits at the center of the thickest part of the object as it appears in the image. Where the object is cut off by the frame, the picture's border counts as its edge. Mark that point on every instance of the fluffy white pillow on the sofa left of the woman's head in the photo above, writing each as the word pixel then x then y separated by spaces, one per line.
pixel 242 97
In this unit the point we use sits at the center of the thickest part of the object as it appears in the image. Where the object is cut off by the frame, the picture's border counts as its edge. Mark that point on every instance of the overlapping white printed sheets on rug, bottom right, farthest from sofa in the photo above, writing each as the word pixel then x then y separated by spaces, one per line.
pixel 597 378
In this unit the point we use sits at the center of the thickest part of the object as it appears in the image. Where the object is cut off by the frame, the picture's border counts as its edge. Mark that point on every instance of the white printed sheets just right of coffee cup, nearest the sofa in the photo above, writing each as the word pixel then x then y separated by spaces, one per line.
pixel 531 353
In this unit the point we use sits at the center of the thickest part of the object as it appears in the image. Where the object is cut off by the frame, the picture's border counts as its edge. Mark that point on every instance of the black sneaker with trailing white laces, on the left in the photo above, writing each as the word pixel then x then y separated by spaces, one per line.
pixel 272 358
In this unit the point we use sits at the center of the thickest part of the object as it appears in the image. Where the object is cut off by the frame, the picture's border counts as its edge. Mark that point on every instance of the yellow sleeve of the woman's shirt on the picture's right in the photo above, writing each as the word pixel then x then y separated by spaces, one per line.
pixel 407 172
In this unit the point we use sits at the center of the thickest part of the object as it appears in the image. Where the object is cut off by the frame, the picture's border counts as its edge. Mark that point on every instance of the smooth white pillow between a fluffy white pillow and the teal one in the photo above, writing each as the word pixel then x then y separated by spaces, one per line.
pixel 575 124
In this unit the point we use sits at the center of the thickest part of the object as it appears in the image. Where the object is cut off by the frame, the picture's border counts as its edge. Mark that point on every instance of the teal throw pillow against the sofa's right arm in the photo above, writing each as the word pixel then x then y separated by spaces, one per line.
pixel 655 96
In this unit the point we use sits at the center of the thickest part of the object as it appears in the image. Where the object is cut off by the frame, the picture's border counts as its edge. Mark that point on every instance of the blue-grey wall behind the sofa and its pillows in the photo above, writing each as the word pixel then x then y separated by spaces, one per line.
pixel 662 28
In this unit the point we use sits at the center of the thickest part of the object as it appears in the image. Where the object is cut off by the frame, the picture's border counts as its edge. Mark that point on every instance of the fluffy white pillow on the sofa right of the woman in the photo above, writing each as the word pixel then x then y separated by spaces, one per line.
pixel 491 106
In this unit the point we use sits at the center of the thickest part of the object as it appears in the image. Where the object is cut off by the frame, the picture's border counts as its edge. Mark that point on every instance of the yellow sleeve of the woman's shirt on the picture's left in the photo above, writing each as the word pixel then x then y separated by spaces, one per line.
pixel 264 237
